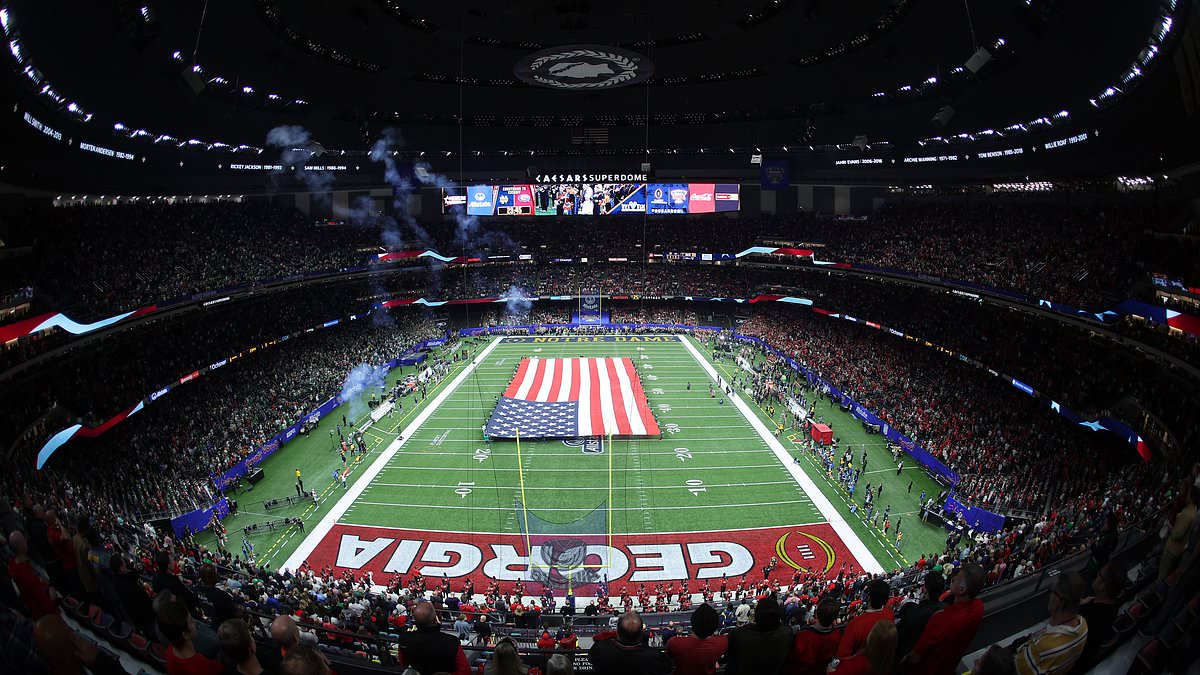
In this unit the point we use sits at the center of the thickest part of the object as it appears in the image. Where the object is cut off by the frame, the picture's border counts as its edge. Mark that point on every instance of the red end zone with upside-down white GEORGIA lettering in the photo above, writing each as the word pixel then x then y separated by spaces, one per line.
pixel 586 560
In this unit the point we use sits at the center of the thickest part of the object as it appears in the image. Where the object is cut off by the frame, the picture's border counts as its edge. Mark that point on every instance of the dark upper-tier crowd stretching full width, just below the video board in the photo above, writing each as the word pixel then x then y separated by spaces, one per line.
pixel 95 261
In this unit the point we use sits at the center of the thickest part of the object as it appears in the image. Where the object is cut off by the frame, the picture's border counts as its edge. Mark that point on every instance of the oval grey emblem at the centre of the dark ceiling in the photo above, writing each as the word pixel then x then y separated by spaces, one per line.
pixel 584 68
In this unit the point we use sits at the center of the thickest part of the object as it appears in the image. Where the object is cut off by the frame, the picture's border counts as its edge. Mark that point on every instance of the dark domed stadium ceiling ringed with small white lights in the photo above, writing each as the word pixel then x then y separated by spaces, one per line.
pixel 190 76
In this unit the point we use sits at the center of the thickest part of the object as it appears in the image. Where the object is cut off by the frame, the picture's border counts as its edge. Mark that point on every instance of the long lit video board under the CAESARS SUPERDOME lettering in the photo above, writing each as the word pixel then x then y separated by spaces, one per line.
pixel 592 199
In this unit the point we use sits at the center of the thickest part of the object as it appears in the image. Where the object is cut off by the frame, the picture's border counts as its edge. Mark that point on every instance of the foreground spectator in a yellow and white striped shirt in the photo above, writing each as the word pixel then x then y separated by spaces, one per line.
pixel 1058 647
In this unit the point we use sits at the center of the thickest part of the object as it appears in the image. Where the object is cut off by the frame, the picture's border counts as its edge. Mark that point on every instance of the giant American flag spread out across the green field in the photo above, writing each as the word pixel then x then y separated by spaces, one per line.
pixel 573 398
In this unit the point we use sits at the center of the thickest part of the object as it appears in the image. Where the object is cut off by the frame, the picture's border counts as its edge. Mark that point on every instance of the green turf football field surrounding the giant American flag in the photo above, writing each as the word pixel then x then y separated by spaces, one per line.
pixel 711 471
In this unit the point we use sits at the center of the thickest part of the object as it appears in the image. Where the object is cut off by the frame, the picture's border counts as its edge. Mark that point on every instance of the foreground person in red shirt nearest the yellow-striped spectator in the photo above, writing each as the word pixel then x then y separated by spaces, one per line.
pixel 950 632
